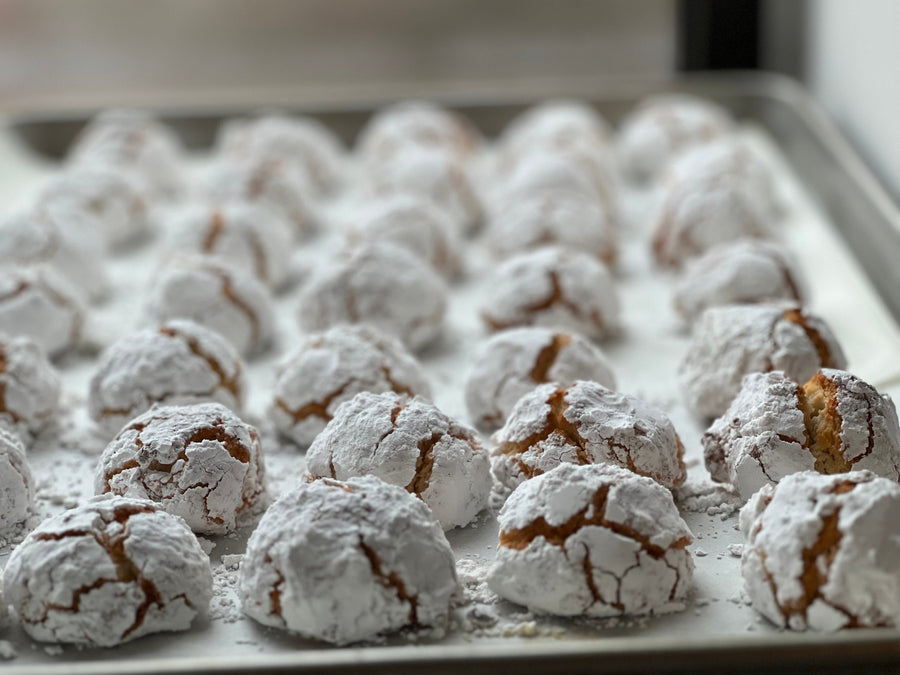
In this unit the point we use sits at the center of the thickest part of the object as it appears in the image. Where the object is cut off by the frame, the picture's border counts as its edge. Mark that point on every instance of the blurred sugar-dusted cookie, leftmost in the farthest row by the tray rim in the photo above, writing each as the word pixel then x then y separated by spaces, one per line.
pixel 132 140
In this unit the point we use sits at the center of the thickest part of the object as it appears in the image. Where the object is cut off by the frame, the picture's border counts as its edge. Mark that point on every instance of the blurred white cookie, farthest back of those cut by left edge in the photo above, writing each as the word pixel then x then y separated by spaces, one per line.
pixel 39 237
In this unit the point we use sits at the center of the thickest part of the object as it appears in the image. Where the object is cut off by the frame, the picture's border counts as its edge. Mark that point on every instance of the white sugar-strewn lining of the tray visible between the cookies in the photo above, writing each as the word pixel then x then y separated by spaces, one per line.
pixel 645 359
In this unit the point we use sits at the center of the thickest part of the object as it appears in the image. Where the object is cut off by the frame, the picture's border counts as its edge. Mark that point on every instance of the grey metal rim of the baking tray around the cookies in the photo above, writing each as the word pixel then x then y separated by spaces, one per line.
pixel 831 172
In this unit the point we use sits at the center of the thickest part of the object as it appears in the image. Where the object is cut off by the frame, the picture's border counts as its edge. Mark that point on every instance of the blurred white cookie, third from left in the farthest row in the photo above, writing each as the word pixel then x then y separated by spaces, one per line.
pixel 415 125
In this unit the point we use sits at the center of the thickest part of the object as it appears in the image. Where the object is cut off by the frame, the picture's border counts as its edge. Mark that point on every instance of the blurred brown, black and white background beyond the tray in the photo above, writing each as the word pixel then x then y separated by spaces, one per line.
pixel 88 53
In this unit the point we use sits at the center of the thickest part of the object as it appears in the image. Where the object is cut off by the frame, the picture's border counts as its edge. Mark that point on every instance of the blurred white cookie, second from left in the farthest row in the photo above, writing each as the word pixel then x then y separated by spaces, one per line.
pixel 303 141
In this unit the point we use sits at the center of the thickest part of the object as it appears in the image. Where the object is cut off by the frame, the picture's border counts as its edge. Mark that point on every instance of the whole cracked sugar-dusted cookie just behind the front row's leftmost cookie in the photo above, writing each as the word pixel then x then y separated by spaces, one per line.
pixel 200 462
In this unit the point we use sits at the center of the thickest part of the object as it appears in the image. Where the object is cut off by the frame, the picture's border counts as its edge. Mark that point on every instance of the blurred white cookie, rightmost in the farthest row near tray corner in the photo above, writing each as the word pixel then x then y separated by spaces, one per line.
pixel 662 126
